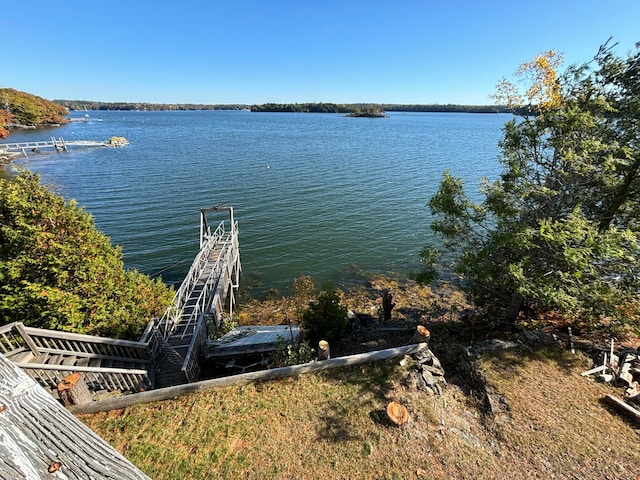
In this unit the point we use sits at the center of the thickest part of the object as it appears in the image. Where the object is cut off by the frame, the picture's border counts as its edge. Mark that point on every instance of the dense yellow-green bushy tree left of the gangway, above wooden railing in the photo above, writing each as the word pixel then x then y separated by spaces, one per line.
pixel 57 271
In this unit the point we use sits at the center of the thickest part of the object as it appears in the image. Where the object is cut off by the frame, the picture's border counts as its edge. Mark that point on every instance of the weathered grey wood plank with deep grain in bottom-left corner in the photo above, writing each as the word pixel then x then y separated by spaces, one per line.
pixel 37 433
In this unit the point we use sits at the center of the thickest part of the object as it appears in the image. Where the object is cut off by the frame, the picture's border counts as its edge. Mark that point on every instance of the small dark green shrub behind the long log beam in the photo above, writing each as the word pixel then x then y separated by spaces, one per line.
pixel 326 317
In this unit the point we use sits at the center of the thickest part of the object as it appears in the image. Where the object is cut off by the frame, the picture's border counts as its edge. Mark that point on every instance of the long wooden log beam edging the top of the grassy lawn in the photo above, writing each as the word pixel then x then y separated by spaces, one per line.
pixel 172 392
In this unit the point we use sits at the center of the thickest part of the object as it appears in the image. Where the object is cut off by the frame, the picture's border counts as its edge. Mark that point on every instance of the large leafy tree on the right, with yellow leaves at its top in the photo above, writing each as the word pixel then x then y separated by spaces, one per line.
pixel 559 230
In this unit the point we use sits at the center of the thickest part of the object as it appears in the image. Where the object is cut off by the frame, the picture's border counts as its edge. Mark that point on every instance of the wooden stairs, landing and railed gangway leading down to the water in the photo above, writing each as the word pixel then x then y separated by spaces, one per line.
pixel 169 351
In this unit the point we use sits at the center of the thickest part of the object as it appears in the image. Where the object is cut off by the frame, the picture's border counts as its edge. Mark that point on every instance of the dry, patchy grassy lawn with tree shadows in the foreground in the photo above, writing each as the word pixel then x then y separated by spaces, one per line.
pixel 331 426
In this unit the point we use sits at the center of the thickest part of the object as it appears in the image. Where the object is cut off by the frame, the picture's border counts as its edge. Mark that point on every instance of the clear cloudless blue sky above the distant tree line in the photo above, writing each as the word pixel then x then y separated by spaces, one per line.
pixel 252 52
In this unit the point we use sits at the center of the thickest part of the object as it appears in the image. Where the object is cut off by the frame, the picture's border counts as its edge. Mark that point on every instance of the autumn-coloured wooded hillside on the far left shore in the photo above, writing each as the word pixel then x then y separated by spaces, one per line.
pixel 25 109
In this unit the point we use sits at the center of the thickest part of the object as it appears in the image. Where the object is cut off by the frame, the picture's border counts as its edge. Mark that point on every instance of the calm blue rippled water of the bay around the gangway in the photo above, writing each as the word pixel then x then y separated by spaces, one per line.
pixel 325 195
